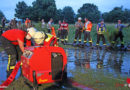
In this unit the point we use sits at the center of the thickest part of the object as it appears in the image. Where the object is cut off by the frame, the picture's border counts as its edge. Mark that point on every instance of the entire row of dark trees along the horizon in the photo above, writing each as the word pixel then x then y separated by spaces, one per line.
pixel 46 9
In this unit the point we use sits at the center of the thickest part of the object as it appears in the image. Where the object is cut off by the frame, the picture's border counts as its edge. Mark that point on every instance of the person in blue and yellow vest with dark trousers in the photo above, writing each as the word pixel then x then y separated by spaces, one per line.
pixel 101 28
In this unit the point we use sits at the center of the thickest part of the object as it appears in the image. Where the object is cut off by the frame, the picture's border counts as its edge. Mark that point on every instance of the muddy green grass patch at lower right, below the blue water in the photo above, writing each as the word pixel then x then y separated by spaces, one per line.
pixel 99 81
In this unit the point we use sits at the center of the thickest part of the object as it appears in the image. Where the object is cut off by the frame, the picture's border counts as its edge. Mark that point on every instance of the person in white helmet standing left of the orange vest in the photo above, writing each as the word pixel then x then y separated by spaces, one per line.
pixel 79 26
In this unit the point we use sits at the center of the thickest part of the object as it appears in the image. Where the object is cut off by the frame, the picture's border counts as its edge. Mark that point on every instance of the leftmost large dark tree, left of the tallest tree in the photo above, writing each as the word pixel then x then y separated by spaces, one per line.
pixel 21 10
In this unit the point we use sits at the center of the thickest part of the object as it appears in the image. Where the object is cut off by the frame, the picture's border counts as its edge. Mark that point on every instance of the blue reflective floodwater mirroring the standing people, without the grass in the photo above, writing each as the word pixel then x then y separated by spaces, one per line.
pixel 114 62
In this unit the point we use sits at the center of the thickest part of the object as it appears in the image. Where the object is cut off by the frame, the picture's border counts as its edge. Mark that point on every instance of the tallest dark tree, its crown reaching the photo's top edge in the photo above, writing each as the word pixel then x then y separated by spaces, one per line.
pixel 44 9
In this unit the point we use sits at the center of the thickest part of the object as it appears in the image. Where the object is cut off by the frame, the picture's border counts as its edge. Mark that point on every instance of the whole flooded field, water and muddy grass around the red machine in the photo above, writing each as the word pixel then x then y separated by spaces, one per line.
pixel 96 69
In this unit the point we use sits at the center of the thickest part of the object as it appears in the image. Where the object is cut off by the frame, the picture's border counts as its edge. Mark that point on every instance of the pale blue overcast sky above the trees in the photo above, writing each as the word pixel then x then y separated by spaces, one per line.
pixel 8 6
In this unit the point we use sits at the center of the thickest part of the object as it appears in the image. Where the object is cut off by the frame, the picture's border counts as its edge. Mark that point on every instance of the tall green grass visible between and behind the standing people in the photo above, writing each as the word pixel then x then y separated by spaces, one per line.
pixel 109 35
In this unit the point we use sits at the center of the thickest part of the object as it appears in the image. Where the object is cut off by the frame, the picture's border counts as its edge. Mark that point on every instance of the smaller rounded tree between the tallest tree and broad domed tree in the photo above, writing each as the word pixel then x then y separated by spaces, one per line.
pixel 68 14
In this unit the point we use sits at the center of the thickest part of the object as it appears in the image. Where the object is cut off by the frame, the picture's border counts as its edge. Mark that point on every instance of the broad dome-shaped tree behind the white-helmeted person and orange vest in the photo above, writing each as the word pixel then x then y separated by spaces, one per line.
pixel 89 11
